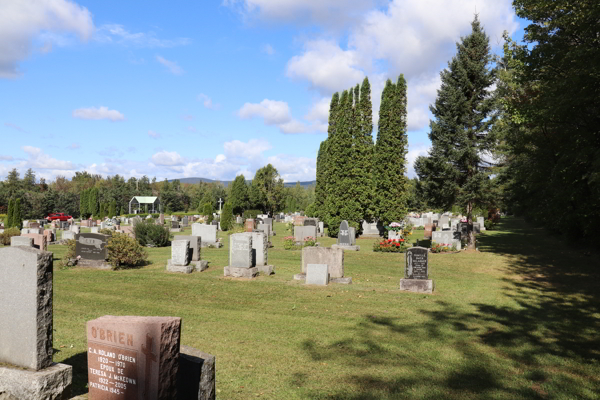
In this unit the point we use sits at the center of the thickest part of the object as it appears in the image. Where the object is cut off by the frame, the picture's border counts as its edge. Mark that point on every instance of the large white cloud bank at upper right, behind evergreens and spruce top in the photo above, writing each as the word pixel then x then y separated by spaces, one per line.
pixel 413 37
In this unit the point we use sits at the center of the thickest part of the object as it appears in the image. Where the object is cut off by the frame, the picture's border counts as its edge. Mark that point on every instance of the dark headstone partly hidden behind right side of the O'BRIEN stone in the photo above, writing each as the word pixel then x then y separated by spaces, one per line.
pixel 196 375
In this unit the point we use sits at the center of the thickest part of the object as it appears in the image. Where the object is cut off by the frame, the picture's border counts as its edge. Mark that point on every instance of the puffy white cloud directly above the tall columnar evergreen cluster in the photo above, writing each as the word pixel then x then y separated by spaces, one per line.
pixel 326 66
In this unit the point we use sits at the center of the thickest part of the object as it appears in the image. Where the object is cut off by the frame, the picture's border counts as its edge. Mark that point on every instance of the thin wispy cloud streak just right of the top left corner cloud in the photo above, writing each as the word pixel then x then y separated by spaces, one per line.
pixel 118 34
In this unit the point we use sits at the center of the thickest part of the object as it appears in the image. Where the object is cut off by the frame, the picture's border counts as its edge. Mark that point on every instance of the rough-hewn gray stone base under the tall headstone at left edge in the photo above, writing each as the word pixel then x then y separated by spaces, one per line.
pixel 52 383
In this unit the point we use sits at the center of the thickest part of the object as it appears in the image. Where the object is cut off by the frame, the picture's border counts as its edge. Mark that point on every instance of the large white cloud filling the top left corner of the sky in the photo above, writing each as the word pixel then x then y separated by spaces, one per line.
pixel 23 21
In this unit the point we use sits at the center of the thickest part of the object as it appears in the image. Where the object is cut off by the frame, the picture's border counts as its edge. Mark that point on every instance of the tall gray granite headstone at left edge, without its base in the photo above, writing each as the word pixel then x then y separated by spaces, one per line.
pixel 26 307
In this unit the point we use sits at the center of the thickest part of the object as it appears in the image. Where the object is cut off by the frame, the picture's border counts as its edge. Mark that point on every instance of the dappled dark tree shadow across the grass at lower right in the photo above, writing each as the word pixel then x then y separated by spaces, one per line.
pixel 543 345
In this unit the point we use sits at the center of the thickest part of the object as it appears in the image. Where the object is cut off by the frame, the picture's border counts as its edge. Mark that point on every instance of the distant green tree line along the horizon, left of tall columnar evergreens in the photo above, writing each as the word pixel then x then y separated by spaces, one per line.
pixel 86 194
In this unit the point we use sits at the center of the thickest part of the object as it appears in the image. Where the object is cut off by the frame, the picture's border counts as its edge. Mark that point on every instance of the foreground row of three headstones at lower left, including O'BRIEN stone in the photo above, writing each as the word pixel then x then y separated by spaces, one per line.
pixel 128 357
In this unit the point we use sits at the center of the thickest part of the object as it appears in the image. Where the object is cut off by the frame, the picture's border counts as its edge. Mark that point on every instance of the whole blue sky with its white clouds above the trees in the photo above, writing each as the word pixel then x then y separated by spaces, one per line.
pixel 214 88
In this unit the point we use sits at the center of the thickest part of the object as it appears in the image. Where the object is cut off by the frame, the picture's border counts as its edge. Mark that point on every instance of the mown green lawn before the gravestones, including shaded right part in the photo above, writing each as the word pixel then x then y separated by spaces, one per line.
pixel 518 320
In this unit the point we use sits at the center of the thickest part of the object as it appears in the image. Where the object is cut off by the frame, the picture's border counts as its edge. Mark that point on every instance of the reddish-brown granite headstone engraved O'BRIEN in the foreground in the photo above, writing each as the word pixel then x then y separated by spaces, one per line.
pixel 132 358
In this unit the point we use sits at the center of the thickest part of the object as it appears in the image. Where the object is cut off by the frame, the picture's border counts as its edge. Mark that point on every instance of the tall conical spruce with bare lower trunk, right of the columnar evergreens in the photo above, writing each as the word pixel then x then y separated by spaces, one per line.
pixel 455 170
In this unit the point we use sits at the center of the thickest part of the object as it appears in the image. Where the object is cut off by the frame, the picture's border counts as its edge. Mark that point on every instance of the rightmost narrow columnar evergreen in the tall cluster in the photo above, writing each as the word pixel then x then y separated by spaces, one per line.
pixel 391 194
